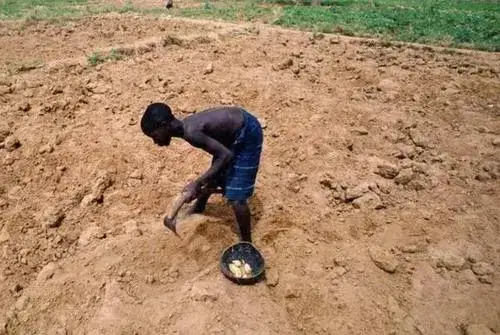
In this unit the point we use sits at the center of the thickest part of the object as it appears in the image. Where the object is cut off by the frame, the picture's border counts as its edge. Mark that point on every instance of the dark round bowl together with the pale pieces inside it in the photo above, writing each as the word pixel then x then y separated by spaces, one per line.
pixel 242 263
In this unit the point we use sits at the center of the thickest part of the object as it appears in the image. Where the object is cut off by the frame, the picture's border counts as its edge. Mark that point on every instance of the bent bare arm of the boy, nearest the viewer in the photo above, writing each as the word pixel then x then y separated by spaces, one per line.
pixel 222 156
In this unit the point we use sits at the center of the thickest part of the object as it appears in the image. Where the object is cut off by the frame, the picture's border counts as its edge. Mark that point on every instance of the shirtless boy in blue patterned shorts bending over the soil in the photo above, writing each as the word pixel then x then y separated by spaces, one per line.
pixel 232 136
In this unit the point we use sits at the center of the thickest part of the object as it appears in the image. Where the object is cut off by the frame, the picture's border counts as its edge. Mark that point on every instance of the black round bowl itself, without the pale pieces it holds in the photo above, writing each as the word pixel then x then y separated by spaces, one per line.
pixel 247 252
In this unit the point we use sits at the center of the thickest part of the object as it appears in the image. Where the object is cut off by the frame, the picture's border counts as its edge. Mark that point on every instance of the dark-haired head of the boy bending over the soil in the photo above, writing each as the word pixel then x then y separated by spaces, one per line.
pixel 157 123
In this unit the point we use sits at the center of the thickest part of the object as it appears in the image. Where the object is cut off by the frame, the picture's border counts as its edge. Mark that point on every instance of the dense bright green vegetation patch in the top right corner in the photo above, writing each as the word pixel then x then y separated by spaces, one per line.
pixel 453 24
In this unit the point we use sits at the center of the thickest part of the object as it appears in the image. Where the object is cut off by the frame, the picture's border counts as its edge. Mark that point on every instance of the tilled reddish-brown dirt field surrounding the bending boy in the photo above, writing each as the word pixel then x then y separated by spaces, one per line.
pixel 377 203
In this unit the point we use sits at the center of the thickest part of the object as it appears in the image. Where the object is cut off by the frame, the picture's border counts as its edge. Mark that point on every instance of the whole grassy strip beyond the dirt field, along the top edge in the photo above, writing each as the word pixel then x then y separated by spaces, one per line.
pixel 450 23
